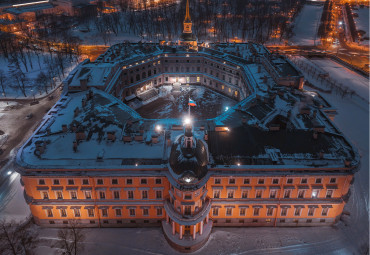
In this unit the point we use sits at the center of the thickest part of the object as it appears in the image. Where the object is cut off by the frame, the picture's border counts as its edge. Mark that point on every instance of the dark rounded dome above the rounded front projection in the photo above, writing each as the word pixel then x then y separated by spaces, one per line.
pixel 189 162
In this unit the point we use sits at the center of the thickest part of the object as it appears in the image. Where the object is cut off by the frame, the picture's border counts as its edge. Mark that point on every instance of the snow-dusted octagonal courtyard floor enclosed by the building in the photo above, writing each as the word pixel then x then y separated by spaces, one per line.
pixel 209 104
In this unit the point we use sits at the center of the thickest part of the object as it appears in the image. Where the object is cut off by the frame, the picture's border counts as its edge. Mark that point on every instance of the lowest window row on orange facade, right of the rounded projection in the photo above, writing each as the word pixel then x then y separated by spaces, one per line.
pixel 272 210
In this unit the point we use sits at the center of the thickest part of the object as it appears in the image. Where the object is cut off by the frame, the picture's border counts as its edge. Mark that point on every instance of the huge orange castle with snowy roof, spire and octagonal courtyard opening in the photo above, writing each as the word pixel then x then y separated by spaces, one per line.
pixel 273 159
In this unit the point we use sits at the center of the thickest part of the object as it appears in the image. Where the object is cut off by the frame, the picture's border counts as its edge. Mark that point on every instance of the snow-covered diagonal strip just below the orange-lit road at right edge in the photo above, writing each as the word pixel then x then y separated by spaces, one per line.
pixel 345 76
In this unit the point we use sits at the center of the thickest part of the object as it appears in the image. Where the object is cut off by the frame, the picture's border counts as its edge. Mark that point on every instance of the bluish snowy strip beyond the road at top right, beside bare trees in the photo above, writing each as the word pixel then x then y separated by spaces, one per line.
pixel 306 25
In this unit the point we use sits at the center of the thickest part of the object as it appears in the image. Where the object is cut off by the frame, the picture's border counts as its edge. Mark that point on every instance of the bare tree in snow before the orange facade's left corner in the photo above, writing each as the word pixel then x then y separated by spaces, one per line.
pixel 70 239
